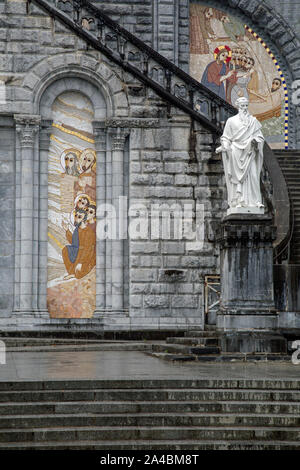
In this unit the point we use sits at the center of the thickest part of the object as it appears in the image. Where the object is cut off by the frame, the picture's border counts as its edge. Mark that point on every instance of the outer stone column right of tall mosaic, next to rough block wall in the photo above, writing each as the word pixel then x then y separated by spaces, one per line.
pixel 118 137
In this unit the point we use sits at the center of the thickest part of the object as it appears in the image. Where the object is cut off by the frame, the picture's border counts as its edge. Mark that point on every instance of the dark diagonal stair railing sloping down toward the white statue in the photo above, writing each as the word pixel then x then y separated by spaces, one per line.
pixel 148 66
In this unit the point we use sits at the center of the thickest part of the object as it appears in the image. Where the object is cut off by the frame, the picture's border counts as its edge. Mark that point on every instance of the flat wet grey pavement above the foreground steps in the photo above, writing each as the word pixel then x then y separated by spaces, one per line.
pixel 92 365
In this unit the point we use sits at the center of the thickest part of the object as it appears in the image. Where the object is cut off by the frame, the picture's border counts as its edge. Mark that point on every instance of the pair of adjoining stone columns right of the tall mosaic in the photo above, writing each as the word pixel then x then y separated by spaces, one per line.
pixel 110 146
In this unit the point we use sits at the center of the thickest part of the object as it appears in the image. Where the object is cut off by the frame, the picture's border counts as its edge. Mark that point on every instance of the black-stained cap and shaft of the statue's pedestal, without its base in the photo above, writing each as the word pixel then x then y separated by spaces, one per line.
pixel 246 264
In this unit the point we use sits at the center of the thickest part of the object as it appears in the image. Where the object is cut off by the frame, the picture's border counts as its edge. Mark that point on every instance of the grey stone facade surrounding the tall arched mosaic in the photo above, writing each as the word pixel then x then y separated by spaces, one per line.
pixel 146 151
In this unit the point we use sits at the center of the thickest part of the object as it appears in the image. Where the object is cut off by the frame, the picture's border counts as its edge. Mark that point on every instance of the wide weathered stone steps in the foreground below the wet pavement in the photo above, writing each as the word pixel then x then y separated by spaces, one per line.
pixel 208 414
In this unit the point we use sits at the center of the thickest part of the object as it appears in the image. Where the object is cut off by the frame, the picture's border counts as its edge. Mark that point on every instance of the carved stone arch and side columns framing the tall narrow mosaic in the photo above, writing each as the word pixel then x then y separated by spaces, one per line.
pixel 105 90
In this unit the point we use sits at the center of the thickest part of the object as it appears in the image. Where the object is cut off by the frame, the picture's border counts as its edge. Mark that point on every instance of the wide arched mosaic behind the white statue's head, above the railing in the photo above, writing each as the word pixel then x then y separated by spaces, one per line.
pixel 229 58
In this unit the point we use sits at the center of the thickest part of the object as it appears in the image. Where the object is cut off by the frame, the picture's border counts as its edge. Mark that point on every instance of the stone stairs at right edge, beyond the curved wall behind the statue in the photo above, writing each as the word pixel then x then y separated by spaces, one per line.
pixel 290 165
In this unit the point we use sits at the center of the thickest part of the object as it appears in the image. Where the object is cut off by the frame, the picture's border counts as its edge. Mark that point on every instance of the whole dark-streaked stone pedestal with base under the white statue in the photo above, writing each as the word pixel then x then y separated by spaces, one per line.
pixel 247 316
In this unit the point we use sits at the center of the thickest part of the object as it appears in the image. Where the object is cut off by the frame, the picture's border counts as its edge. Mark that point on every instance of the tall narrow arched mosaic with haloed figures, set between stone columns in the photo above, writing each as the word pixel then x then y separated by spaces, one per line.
pixel 72 209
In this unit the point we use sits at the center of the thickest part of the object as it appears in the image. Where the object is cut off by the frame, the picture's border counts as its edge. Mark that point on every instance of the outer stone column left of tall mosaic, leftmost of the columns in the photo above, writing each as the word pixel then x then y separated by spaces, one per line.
pixel 27 127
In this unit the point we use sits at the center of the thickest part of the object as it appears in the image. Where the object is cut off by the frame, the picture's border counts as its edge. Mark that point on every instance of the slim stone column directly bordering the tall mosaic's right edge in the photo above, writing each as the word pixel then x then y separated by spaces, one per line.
pixel 100 134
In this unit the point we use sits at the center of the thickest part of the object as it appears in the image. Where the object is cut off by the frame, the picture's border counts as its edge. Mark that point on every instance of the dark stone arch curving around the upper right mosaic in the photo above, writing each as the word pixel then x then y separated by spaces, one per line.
pixel 281 39
